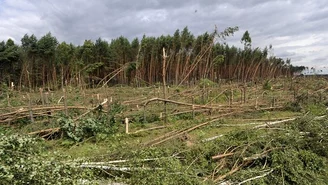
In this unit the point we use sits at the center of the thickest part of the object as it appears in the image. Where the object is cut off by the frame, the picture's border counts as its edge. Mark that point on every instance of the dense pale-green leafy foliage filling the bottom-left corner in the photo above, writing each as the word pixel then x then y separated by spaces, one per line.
pixel 23 163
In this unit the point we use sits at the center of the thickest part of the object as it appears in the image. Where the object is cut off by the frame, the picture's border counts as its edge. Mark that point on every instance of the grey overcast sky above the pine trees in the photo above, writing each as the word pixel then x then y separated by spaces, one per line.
pixel 297 29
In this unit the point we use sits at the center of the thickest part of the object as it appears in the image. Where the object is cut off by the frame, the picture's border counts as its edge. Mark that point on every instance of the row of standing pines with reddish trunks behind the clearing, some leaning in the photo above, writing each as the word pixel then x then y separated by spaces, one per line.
pixel 47 63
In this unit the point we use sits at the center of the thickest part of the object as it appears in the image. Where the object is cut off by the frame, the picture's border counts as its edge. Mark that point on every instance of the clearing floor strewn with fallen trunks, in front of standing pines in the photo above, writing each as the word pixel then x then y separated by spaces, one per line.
pixel 210 133
